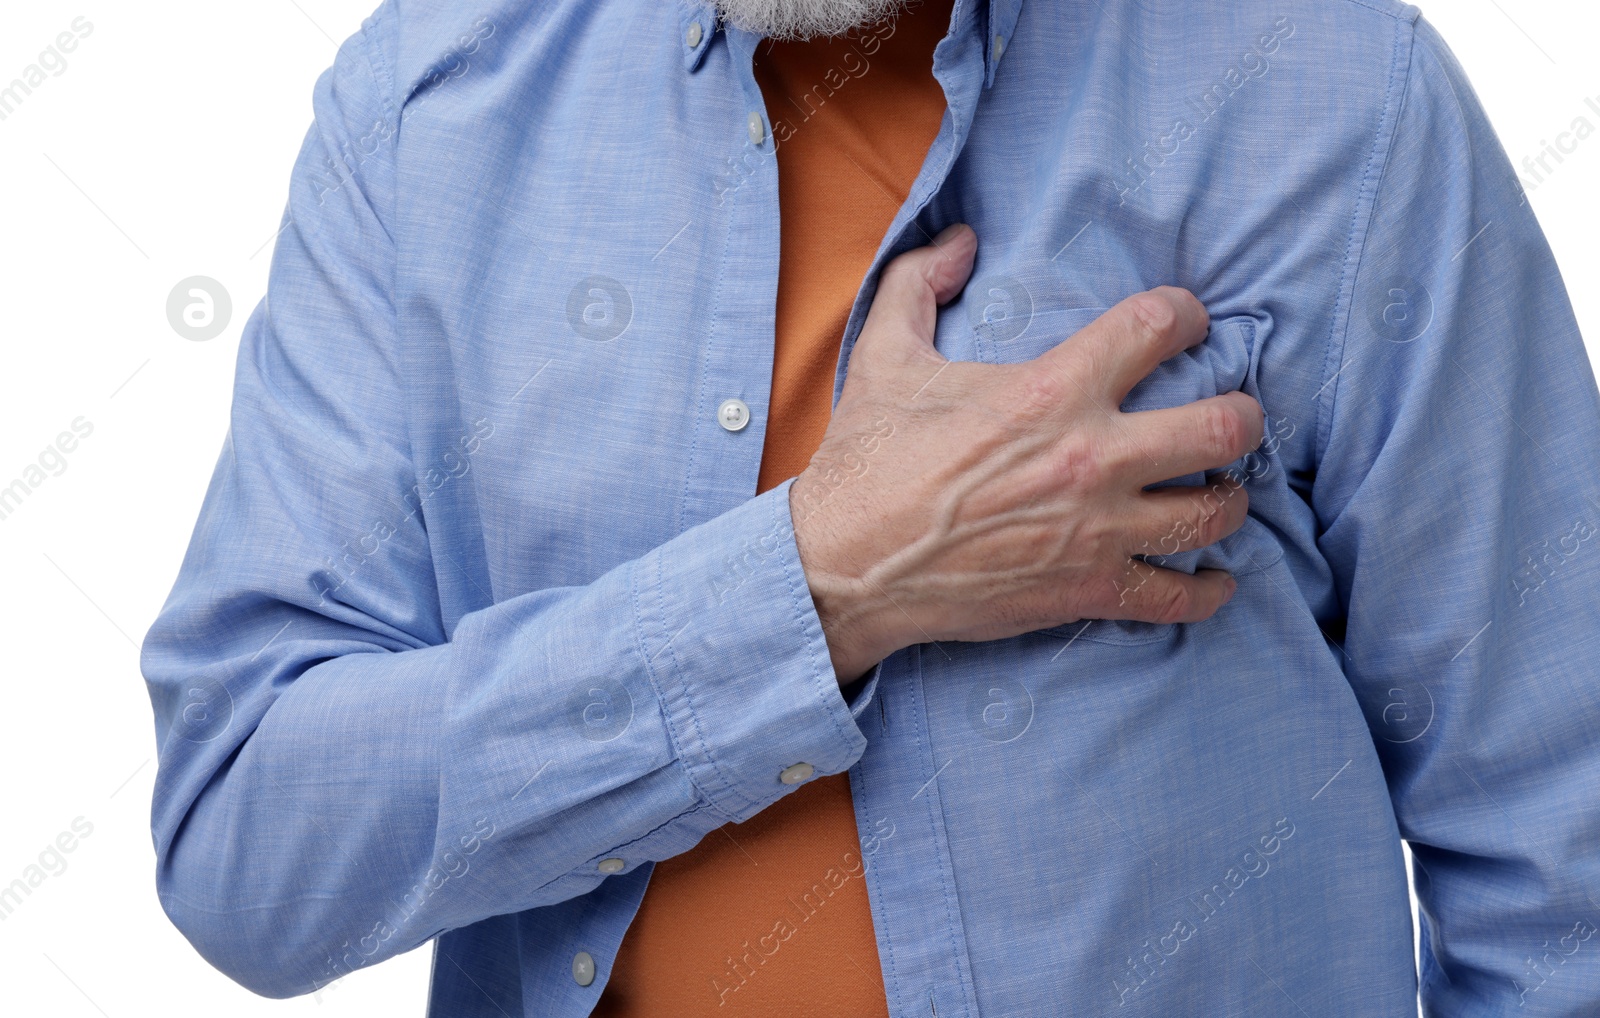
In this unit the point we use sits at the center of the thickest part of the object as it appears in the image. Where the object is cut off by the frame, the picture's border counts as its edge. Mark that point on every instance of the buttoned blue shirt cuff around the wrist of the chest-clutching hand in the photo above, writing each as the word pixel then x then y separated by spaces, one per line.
pixel 742 668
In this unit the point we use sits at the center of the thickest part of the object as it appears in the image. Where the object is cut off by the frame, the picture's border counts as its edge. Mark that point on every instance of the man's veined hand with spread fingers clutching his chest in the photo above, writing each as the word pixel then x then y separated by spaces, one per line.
pixel 974 502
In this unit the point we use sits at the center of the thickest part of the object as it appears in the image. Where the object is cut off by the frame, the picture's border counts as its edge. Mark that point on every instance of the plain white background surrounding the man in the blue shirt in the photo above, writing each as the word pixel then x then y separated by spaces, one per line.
pixel 161 153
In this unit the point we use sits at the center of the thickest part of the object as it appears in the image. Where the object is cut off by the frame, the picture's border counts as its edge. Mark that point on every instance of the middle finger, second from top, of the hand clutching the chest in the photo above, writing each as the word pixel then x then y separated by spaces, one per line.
pixel 1202 436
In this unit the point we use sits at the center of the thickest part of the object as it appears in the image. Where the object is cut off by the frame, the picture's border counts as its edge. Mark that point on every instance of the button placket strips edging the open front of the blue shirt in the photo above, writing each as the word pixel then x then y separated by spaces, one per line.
pixel 911 884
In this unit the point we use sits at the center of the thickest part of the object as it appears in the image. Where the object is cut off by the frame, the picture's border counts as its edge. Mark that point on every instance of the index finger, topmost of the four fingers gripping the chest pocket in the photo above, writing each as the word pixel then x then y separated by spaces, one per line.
pixel 1113 353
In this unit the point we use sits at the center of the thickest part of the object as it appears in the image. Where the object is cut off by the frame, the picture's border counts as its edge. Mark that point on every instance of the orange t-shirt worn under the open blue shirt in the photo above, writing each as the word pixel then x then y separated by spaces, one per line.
pixel 770 918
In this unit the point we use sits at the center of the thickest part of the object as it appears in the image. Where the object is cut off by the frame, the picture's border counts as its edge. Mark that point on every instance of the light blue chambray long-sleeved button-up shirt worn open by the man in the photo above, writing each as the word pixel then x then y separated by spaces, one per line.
pixel 481 593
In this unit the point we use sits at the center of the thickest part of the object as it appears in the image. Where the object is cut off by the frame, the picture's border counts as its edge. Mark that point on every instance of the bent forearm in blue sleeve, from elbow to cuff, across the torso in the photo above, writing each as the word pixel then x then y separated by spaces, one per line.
pixel 361 800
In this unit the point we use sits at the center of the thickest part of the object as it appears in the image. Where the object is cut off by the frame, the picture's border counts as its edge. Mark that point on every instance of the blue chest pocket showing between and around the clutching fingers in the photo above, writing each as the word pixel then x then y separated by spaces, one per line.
pixel 1009 327
